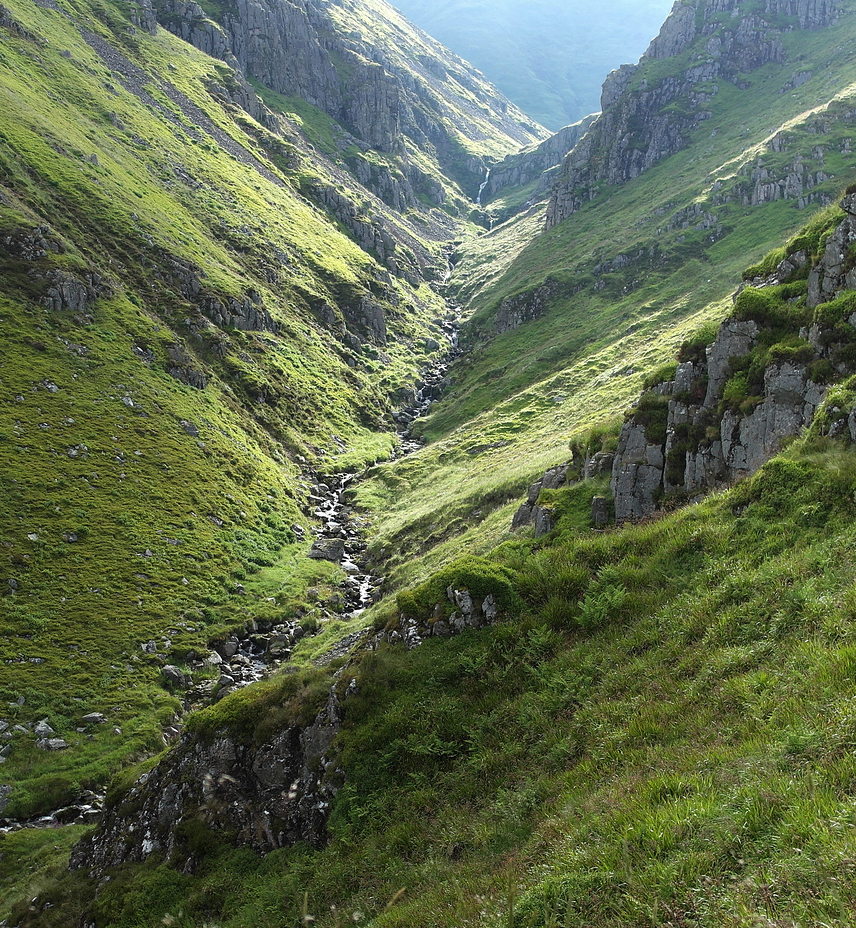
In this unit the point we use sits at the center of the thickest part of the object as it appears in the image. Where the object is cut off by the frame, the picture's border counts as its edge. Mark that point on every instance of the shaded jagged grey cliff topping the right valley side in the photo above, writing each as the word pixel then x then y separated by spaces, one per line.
pixel 651 110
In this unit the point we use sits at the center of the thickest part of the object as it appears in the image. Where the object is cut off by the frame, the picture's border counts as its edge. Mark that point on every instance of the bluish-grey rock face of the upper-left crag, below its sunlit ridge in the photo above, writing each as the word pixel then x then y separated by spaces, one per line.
pixel 300 49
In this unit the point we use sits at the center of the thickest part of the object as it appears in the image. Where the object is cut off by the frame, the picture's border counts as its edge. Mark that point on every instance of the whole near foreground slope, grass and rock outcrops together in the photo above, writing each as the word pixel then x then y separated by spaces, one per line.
pixel 616 728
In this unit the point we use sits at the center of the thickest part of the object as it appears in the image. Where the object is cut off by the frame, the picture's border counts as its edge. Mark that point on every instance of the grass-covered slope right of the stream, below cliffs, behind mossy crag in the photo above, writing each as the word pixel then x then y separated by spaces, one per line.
pixel 682 233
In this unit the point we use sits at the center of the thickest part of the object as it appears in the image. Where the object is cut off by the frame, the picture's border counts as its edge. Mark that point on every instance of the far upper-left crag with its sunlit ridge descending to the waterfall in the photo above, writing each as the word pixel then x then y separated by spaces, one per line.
pixel 393 88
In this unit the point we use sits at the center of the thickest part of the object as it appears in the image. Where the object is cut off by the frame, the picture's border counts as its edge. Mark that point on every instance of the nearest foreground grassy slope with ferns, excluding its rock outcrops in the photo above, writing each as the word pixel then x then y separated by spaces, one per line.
pixel 660 733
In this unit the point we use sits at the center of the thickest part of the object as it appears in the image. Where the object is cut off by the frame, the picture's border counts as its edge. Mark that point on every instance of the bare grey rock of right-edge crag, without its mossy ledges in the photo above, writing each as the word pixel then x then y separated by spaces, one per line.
pixel 729 443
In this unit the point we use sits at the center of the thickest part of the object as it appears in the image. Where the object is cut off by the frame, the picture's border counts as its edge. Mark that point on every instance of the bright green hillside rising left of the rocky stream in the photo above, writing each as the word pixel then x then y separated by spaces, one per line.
pixel 153 454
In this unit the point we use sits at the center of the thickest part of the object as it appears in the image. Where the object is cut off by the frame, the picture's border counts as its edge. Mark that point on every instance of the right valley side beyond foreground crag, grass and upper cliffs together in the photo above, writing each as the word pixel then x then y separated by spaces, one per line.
pixel 567 323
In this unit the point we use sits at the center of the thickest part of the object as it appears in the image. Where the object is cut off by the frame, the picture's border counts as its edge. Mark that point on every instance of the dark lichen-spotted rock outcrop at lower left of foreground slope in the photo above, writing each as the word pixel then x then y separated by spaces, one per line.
pixel 261 795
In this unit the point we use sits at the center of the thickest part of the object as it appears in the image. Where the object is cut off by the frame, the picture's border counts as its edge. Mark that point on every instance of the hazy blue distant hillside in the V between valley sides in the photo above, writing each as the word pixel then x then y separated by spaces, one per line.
pixel 548 56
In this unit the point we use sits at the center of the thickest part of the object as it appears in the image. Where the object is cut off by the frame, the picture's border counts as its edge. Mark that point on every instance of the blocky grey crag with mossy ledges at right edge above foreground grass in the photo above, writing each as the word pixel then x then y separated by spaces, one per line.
pixel 701 430
